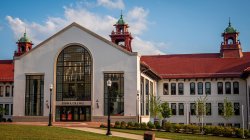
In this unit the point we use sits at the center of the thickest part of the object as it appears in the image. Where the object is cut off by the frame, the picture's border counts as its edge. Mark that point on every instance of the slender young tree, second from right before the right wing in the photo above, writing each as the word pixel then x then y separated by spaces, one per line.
pixel 200 106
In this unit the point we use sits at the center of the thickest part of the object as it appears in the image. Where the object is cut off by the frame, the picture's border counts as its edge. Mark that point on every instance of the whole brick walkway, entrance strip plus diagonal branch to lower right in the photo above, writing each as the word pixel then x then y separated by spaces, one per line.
pixel 85 126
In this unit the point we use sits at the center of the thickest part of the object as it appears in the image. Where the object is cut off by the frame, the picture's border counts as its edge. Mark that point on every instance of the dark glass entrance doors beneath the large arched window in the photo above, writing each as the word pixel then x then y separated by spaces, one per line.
pixel 73 113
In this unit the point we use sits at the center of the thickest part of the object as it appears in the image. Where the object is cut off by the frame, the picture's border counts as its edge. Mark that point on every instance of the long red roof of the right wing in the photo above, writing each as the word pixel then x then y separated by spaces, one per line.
pixel 197 65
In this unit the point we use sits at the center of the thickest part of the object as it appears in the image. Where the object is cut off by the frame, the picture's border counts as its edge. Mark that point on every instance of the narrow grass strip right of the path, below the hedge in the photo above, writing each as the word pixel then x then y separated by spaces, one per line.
pixel 176 136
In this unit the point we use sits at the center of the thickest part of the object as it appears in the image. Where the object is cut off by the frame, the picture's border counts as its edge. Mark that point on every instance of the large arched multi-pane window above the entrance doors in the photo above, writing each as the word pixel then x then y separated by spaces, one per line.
pixel 73 74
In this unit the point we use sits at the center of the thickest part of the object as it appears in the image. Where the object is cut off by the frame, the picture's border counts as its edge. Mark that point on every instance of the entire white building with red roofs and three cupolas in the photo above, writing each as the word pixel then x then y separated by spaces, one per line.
pixel 78 63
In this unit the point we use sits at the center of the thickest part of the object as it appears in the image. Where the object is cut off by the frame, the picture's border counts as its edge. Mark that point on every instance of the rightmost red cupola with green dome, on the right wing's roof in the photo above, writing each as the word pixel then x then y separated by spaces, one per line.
pixel 230 47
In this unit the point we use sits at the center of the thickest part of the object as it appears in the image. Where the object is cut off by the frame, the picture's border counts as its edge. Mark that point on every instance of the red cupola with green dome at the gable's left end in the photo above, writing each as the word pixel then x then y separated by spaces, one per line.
pixel 24 44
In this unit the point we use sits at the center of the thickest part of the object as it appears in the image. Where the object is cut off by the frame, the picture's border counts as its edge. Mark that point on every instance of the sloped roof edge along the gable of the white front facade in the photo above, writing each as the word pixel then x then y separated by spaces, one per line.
pixel 85 30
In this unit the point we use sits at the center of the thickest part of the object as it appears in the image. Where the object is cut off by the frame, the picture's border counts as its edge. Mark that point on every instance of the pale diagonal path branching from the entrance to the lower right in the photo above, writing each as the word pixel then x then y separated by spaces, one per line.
pixel 117 134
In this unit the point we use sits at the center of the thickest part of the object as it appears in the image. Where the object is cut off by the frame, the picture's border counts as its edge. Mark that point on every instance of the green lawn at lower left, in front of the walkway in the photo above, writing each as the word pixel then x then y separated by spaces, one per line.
pixel 44 133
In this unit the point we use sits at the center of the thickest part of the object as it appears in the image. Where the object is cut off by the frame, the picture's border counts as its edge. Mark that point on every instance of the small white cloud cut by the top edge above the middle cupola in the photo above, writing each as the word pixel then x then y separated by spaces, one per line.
pixel 112 4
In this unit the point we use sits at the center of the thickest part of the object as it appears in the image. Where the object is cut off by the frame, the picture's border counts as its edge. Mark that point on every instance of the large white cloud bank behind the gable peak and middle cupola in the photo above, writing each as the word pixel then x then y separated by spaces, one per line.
pixel 101 24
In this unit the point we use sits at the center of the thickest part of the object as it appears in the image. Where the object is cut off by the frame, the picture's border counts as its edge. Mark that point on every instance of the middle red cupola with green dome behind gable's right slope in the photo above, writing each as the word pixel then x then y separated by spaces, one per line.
pixel 121 36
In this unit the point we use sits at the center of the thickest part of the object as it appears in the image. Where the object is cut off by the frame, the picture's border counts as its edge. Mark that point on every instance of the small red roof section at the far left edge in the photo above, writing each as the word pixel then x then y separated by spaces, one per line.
pixel 6 71
